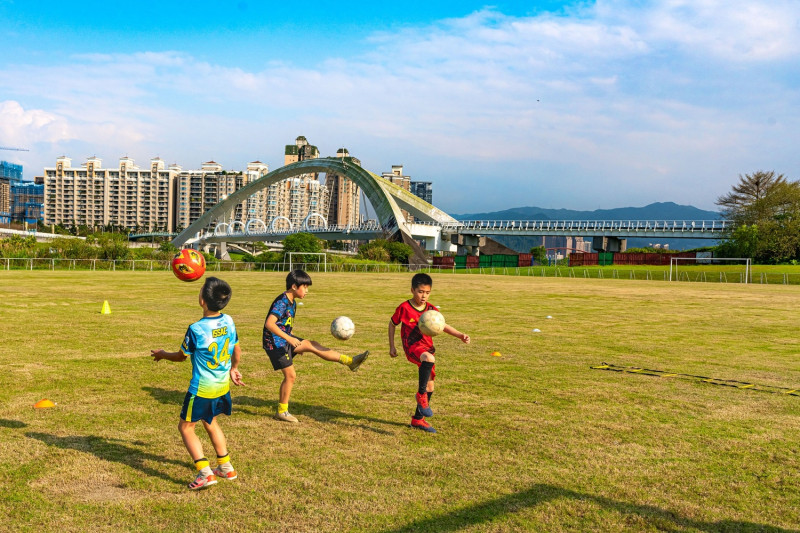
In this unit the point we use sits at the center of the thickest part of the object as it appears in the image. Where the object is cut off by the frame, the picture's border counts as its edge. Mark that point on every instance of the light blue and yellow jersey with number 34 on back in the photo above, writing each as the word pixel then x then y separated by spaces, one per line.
pixel 209 344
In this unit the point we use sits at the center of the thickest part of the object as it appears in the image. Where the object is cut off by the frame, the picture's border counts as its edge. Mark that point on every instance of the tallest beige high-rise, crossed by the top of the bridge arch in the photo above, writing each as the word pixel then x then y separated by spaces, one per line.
pixel 298 197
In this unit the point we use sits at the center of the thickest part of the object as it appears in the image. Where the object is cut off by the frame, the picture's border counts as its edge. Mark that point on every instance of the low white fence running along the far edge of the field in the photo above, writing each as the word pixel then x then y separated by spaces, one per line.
pixel 137 265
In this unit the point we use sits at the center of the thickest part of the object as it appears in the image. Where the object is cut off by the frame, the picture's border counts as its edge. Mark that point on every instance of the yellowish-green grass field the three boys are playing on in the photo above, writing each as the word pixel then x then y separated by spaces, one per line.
pixel 534 440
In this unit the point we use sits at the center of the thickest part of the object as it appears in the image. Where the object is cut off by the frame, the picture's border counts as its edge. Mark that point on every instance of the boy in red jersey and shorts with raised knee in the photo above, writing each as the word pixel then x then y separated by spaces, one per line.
pixel 417 346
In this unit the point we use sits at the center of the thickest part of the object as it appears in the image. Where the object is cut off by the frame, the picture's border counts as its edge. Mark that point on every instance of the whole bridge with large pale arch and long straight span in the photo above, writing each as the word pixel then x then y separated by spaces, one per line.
pixel 437 229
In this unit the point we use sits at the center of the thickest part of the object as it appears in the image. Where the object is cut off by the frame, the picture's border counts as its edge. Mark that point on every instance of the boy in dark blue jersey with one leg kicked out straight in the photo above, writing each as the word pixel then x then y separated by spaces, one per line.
pixel 282 346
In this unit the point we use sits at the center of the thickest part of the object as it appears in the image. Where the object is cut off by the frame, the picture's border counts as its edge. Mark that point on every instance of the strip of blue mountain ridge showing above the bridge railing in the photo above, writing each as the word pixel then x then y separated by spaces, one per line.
pixel 656 211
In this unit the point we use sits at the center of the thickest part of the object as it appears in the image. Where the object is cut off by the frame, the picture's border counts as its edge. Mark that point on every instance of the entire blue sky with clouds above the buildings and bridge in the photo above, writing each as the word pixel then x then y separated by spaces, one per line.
pixel 580 105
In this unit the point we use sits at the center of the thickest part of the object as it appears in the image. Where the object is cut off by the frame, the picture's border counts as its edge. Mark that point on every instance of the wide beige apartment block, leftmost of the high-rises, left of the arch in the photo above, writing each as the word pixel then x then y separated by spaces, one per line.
pixel 126 196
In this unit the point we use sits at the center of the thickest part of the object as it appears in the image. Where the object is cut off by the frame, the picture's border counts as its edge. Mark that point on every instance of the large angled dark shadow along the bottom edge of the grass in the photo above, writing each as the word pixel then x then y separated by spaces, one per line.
pixel 540 493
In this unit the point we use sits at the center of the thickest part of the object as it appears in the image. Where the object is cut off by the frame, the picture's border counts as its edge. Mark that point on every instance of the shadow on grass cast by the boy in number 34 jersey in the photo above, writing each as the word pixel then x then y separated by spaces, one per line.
pixel 111 449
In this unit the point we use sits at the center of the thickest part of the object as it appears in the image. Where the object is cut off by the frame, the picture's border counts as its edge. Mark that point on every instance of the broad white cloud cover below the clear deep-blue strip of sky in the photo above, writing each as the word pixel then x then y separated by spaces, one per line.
pixel 613 97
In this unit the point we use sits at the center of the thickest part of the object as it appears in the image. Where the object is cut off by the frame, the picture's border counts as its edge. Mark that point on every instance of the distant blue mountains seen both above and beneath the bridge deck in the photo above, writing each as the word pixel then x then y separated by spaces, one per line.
pixel 657 211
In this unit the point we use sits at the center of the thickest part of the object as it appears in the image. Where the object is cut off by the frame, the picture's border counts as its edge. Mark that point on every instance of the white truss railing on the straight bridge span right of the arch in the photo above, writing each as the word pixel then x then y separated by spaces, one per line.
pixel 703 226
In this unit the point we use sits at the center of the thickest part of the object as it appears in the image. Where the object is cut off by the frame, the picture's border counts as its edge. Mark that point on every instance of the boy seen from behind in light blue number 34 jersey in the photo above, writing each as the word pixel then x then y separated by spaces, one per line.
pixel 213 347
